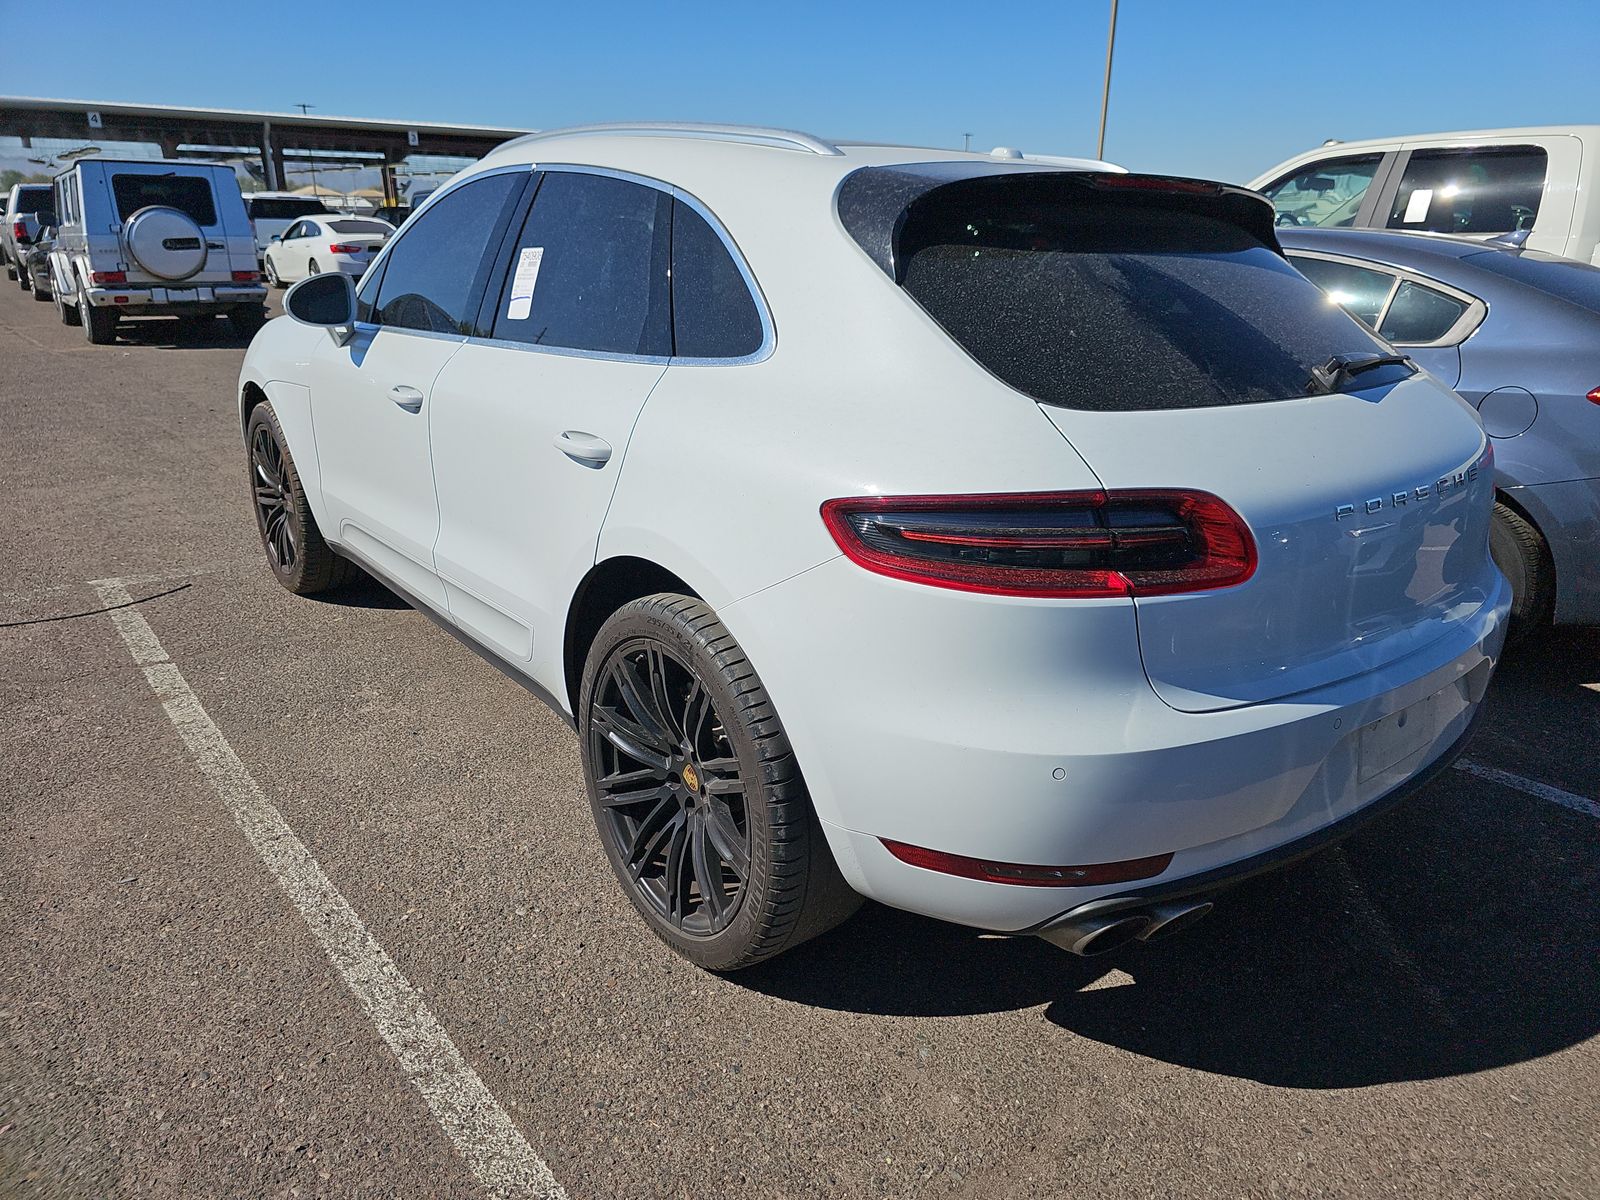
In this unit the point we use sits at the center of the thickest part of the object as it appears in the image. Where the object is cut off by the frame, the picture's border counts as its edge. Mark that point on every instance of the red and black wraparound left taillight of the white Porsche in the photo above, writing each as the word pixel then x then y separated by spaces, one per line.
pixel 1050 545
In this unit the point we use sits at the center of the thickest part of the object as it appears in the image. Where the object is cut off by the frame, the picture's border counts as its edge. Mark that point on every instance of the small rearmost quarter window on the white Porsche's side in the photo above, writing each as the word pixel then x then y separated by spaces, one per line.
pixel 713 311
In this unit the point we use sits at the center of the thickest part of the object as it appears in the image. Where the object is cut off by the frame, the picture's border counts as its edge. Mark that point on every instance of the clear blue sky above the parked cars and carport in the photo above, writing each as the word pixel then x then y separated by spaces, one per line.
pixel 1202 87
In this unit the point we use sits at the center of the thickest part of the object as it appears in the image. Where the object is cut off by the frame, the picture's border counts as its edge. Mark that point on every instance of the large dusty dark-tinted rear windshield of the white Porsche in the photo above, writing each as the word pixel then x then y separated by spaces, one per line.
pixel 1118 303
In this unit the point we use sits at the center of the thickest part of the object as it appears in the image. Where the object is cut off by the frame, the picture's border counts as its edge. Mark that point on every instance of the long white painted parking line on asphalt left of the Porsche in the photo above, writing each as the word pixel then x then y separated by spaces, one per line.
pixel 470 1114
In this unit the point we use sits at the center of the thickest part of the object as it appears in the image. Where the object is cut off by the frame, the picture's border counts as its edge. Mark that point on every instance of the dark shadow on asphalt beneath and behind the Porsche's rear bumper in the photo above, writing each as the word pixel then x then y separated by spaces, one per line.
pixel 1455 935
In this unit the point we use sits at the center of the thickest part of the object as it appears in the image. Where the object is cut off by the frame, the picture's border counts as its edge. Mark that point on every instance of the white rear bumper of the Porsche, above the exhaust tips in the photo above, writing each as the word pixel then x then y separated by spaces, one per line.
pixel 1018 732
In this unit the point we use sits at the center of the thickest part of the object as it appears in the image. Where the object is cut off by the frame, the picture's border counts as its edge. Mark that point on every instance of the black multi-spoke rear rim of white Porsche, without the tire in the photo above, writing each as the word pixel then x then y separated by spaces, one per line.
pixel 671 788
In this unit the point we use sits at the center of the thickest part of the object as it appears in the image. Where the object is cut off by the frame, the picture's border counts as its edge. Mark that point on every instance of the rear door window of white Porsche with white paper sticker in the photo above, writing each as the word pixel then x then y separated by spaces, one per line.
pixel 591 268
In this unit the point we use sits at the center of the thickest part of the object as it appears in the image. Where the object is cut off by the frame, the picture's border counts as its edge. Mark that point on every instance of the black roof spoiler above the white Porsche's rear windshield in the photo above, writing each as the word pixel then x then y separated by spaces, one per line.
pixel 876 201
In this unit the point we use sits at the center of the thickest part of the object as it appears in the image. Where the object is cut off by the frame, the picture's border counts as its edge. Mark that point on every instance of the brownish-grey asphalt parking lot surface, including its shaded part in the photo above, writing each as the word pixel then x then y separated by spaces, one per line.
pixel 185 1015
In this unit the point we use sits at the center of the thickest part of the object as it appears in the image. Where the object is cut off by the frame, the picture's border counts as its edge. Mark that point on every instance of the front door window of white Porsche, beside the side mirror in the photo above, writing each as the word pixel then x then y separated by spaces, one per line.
pixel 438 268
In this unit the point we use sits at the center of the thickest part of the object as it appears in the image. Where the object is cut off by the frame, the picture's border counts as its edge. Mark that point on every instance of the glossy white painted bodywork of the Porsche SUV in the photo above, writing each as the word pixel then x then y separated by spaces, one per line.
pixel 919 714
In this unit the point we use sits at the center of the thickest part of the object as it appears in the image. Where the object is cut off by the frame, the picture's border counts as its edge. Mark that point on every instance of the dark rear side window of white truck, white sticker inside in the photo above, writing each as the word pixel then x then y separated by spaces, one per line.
pixel 1484 191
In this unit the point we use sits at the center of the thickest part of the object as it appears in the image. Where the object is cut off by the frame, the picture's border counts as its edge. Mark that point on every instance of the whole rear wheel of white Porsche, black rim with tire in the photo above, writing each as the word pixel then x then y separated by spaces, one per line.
pixel 674 714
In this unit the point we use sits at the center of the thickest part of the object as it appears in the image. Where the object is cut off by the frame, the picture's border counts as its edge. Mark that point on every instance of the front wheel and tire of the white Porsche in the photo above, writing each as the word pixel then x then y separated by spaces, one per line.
pixel 294 545
